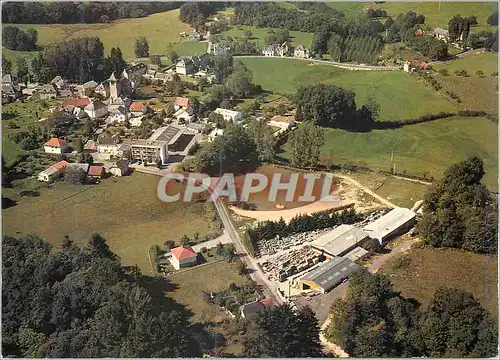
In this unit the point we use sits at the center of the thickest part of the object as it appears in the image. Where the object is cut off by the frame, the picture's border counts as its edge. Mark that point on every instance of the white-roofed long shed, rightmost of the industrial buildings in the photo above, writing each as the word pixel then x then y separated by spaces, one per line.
pixel 395 222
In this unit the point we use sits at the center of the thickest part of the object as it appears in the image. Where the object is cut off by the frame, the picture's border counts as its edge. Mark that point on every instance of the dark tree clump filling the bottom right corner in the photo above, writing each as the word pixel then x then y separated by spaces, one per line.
pixel 376 321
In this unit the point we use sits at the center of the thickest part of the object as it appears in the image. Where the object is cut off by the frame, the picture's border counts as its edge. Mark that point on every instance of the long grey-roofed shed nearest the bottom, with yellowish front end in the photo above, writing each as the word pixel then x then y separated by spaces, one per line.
pixel 329 275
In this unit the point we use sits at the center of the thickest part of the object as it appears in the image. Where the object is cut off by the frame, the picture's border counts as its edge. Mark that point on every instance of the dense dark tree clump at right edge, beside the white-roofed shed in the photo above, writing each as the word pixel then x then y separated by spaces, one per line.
pixel 460 212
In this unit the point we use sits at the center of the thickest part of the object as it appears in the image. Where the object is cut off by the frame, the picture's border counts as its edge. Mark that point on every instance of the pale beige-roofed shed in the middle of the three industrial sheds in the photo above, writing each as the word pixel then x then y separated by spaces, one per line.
pixel 340 240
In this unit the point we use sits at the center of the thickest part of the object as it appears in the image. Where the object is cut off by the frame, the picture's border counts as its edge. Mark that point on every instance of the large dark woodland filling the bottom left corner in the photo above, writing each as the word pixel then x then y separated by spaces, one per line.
pixel 81 302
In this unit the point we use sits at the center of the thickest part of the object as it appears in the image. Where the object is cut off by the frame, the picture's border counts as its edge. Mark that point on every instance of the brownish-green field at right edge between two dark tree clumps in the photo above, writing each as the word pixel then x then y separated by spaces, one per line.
pixel 425 271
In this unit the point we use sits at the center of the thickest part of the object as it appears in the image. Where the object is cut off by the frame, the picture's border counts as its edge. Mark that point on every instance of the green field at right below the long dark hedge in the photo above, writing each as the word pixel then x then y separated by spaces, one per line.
pixel 431 146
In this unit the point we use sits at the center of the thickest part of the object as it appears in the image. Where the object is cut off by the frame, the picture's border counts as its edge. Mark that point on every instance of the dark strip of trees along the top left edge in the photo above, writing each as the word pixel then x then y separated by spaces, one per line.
pixel 79 12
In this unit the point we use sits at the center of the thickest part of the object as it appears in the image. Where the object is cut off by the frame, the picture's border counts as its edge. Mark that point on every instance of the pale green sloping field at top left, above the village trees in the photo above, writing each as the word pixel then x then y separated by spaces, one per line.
pixel 160 29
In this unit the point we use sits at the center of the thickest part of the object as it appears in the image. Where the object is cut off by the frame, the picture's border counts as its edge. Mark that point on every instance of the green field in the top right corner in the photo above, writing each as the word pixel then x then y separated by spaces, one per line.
pixel 438 13
